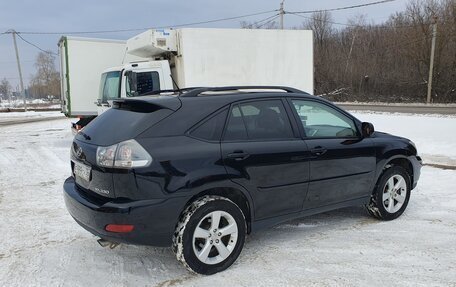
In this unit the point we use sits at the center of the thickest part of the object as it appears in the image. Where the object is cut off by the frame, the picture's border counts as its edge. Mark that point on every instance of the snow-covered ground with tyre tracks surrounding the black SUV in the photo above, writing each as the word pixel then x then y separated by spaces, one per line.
pixel 41 245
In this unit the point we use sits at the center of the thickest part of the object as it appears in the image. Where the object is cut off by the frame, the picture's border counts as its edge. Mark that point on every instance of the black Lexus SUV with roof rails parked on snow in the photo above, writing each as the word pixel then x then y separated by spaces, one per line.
pixel 199 170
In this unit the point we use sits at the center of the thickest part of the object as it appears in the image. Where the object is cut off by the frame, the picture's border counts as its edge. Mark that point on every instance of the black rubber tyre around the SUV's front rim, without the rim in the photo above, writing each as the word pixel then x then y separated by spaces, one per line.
pixel 376 206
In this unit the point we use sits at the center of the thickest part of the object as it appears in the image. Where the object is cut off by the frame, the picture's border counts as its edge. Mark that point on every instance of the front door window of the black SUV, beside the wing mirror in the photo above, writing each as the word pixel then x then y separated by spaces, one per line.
pixel 319 120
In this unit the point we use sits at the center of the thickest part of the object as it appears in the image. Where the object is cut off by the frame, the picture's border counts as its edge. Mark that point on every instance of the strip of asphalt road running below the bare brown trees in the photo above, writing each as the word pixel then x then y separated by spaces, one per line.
pixel 396 108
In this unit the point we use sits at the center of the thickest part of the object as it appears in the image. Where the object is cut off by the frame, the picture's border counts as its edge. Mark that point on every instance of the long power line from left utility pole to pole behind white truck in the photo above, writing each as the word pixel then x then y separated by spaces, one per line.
pixel 145 28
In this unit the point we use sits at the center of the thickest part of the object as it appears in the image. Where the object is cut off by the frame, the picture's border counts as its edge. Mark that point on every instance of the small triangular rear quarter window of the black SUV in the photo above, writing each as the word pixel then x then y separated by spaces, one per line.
pixel 211 129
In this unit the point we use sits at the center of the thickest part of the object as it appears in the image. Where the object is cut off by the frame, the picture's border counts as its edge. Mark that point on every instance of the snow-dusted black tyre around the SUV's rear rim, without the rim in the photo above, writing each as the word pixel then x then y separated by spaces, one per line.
pixel 183 244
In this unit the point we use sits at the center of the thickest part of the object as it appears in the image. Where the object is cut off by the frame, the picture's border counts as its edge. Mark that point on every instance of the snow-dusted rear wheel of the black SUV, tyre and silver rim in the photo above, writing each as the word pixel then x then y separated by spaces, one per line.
pixel 210 235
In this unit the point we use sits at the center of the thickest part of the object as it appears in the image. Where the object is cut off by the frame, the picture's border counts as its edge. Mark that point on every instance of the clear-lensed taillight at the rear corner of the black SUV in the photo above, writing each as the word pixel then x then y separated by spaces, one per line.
pixel 127 154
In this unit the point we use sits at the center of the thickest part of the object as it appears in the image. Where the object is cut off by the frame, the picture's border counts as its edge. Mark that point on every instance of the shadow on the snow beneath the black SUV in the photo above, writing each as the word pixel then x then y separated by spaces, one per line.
pixel 307 228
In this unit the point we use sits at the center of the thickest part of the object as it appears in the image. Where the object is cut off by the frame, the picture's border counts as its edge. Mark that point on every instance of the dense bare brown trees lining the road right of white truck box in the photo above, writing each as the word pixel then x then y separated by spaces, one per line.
pixel 386 62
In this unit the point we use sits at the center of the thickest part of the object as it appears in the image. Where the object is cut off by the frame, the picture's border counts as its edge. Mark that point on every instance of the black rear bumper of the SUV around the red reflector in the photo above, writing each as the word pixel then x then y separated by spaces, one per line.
pixel 154 220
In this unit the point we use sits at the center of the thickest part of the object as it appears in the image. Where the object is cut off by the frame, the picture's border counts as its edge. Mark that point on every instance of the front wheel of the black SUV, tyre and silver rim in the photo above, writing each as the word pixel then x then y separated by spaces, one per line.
pixel 391 194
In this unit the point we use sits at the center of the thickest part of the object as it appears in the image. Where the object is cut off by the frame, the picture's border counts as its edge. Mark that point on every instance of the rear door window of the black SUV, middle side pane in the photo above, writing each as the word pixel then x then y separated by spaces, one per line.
pixel 260 120
